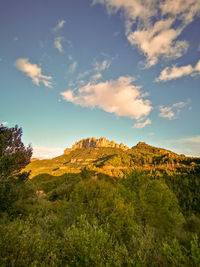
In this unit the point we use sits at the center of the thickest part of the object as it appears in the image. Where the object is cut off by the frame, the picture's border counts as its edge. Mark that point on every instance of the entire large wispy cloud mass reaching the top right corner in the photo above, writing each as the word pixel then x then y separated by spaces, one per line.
pixel 158 25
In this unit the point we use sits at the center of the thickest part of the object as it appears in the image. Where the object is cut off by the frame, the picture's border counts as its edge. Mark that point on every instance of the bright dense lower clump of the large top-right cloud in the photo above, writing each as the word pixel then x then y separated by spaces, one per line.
pixel 158 40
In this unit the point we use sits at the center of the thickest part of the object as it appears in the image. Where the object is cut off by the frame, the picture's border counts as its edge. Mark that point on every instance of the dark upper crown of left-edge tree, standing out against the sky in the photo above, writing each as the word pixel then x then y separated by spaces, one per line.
pixel 14 156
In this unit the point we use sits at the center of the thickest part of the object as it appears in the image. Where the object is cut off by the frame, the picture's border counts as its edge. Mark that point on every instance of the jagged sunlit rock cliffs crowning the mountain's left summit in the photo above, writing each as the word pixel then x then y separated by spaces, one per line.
pixel 93 142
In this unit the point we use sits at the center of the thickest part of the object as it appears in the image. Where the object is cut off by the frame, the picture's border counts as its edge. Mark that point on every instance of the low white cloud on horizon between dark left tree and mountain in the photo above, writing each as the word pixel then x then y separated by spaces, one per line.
pixel 41 152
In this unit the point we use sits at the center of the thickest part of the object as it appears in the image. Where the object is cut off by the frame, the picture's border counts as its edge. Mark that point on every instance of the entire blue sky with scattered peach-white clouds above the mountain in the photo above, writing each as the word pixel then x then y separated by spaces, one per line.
pixel 127 70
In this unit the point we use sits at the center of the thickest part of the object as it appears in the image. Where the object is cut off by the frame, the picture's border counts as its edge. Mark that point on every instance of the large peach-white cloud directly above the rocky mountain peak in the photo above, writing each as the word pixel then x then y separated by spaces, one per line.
pixel 118 96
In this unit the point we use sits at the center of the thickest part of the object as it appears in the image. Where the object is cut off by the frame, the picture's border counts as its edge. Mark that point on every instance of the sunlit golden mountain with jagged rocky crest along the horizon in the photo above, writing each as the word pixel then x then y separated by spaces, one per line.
pixel 108 157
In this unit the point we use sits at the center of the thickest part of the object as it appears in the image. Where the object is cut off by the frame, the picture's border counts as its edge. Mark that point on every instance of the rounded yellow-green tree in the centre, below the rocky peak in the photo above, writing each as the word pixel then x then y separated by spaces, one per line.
pixel 101 200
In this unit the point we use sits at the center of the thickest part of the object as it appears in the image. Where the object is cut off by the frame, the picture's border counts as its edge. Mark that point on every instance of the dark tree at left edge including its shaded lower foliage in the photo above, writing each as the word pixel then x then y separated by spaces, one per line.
pixel 14 156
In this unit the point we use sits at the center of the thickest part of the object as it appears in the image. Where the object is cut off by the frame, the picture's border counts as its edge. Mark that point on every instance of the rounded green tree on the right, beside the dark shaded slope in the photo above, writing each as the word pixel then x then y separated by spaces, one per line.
pixel 155 204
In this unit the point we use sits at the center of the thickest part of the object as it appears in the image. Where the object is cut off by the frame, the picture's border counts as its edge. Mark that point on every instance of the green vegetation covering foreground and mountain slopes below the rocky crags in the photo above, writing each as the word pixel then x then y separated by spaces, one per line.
pixel 148 215
